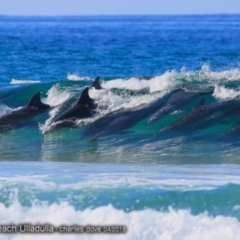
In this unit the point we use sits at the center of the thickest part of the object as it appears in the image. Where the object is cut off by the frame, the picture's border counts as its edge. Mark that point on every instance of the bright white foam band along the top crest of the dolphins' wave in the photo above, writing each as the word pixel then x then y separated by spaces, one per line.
pixel 173 79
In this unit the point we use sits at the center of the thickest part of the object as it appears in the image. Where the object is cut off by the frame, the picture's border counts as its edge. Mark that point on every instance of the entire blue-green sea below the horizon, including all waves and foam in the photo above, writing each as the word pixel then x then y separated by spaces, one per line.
pixel 176 177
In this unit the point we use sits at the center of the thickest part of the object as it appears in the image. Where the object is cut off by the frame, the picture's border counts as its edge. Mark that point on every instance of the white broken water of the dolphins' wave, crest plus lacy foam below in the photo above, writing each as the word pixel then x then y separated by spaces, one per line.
pixel 135 92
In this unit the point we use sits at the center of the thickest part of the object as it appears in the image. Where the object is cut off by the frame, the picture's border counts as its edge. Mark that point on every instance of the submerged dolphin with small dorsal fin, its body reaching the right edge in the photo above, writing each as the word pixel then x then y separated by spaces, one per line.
pixel 201 111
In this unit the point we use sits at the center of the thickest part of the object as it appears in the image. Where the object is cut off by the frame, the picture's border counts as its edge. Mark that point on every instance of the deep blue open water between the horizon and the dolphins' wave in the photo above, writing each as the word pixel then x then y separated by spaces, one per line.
pixel 49 48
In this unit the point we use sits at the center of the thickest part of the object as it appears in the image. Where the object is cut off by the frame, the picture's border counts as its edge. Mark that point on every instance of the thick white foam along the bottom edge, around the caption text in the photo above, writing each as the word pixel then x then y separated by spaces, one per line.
pixel 144 225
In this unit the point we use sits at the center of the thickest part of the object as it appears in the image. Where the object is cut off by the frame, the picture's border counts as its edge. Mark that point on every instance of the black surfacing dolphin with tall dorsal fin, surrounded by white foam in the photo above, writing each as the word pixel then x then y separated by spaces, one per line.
pixel 82 109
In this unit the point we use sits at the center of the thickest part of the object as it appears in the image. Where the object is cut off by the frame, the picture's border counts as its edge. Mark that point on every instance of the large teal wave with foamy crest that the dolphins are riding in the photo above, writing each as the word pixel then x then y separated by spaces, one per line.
pixel 139 118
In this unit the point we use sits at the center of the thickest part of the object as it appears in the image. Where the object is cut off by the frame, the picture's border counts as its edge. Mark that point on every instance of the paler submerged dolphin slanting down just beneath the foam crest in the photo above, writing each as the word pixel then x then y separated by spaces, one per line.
pixel 176 101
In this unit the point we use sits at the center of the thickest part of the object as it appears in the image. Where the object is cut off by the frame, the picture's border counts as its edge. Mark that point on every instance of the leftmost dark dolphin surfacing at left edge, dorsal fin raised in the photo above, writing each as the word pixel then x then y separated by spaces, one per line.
pixel 33 108
